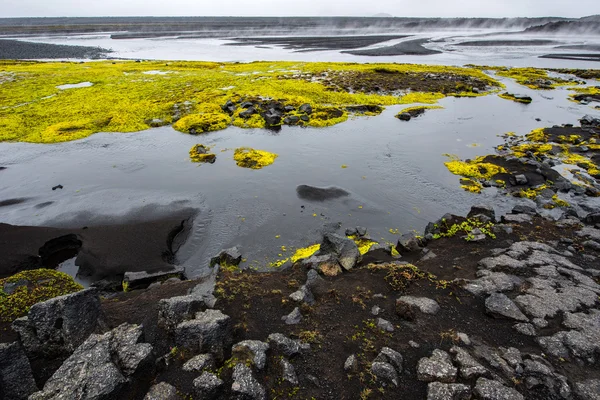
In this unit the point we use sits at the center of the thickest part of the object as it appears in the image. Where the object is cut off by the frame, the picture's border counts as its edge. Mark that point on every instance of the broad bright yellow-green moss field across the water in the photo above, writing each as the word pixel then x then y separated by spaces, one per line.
pixel 127 96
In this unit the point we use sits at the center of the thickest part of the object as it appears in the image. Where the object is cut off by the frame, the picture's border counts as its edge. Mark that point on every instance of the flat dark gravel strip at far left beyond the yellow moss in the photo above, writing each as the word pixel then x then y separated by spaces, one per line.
pixel 16 49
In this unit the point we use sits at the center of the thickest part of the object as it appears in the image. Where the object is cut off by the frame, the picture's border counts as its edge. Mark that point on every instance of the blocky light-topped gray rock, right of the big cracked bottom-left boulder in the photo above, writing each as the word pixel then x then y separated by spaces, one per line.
pixel 209 332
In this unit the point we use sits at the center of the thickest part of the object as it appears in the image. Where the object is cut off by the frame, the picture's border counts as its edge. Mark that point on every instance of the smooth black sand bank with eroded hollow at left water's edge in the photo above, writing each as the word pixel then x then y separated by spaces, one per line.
pixel 103 251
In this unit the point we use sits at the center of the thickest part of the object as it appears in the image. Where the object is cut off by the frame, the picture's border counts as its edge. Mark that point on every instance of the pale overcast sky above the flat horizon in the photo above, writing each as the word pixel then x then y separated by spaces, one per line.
pixel 399 8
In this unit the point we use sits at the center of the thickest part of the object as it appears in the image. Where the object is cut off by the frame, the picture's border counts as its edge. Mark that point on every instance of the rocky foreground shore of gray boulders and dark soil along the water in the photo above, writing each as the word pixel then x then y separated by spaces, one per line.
pixel 477 307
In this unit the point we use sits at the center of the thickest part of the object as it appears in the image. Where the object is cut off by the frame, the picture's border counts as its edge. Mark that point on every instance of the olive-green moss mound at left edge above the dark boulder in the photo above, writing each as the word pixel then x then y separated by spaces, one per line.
pixel 32 287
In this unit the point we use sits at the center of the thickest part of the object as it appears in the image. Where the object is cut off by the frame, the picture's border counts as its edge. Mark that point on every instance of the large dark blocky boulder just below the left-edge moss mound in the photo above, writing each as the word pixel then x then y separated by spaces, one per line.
pixel 58 326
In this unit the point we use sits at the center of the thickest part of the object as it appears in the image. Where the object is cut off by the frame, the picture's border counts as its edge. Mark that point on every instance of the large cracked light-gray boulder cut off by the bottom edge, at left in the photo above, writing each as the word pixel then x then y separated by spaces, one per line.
pixel 101 367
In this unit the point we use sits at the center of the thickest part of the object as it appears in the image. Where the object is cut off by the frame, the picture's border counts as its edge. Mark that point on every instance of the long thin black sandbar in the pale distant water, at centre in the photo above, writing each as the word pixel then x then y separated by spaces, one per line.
pixel 317 43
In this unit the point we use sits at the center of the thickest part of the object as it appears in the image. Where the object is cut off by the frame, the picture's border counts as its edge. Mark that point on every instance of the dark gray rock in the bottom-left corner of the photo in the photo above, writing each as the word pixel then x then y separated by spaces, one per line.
pixel 16 377
